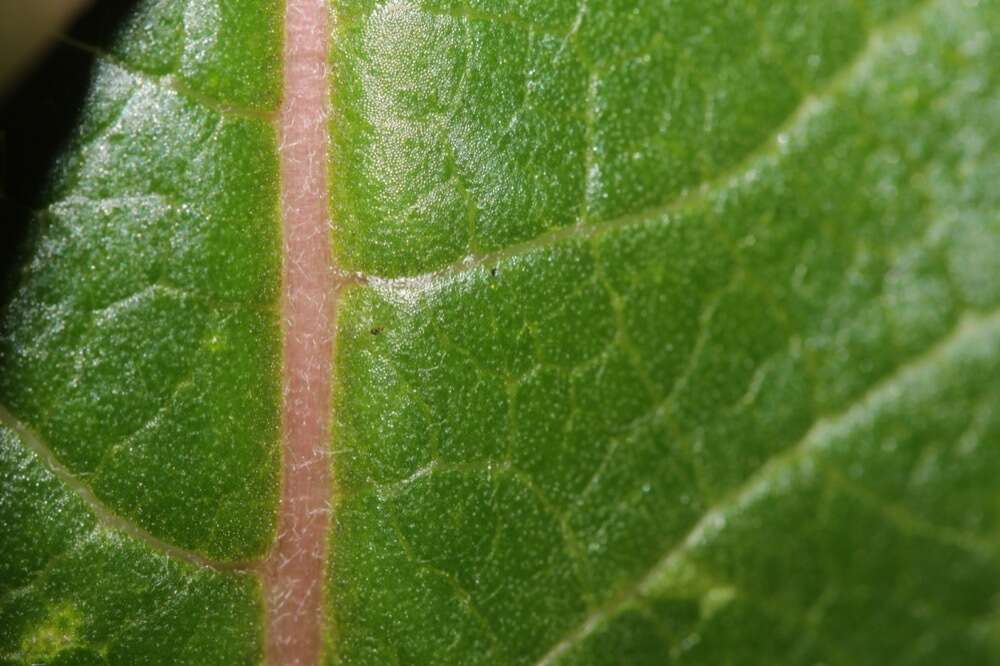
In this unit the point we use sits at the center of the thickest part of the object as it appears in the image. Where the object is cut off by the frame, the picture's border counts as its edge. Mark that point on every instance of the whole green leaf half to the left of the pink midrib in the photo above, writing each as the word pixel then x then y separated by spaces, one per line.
pixel 140 352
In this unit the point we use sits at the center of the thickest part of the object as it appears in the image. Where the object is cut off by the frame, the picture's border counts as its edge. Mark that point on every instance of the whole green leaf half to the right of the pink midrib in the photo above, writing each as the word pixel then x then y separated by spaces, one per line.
pixel 679 342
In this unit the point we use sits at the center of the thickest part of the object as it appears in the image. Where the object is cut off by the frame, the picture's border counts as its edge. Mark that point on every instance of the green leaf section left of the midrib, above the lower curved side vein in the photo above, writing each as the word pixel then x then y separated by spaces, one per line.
pixel 145 318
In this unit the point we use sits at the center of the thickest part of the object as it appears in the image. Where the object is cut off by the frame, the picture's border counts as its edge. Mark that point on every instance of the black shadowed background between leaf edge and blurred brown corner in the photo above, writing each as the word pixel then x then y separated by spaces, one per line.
pixel 37 118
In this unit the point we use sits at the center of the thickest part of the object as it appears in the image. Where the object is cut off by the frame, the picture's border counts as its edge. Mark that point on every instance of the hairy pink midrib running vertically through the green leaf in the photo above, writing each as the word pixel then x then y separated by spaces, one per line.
pixel 294 571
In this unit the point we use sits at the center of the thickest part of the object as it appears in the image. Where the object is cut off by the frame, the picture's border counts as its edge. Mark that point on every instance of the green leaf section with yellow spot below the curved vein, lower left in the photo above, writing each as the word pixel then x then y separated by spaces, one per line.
pixel 76 590
